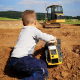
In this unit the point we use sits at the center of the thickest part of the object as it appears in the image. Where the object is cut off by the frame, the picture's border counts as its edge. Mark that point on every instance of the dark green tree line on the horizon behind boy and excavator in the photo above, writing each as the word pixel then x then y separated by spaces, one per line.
pixel 17 15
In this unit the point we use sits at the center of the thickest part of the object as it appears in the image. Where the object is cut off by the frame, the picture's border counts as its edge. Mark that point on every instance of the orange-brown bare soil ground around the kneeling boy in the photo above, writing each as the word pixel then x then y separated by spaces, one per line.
pixel 70 48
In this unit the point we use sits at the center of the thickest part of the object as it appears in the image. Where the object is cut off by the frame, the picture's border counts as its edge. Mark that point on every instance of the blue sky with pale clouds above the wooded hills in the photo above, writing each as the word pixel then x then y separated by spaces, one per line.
pixel 70 7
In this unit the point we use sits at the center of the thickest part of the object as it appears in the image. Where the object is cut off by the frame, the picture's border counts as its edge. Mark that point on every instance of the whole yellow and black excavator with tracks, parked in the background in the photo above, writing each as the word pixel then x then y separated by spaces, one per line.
pixel 55 16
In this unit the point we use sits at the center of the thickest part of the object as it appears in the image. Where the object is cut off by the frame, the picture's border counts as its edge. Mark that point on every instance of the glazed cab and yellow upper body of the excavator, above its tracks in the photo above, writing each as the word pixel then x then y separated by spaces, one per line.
pixel 55 14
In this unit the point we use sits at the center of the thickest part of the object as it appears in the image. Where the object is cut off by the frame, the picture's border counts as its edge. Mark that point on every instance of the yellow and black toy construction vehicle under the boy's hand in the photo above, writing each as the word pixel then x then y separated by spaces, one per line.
pixel 53 53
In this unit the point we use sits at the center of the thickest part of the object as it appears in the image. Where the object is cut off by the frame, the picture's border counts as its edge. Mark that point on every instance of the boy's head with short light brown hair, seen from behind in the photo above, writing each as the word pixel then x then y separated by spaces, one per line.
pixel 28 17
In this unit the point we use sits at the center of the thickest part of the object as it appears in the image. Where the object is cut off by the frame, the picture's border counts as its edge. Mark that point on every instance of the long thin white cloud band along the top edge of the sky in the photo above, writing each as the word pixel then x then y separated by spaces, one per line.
pixel 40 2
